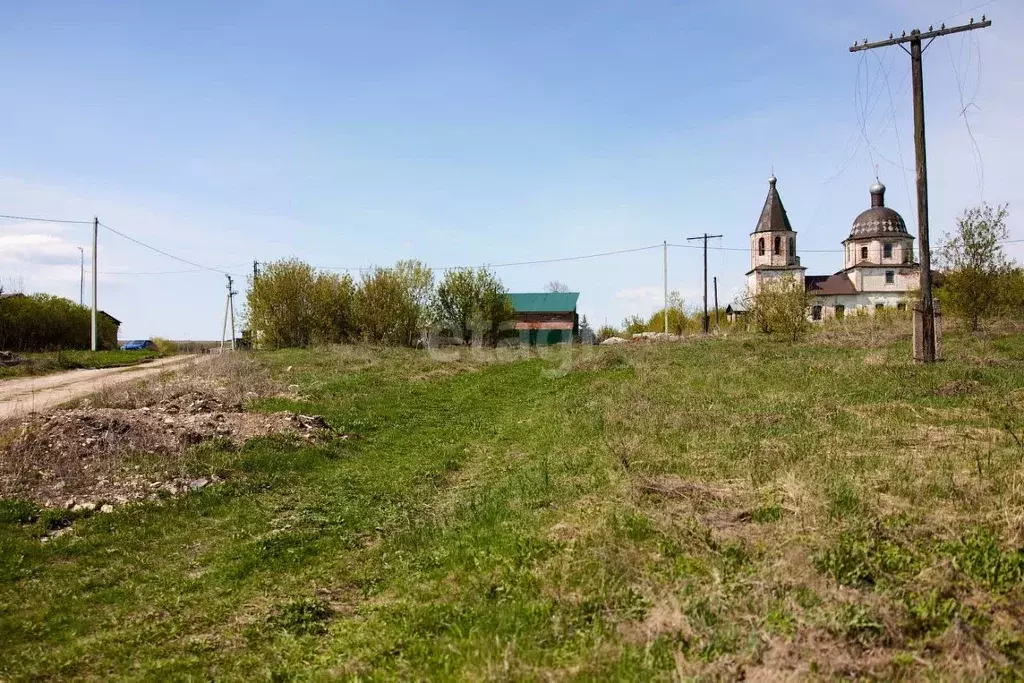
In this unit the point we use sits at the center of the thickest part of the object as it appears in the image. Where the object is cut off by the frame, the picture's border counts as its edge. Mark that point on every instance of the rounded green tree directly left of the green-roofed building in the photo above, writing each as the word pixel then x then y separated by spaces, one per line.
pixel 472 302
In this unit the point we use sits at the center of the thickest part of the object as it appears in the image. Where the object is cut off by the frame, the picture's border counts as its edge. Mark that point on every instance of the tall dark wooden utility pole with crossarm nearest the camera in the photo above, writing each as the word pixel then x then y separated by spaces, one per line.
pixel 927 304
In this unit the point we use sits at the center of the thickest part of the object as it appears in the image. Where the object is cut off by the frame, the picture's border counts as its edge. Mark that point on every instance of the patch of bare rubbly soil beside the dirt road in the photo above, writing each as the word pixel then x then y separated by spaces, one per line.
pixel 100 457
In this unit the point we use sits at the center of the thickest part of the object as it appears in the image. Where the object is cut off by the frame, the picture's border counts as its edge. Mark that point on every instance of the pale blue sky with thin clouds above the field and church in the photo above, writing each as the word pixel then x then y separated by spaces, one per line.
pixel 353 135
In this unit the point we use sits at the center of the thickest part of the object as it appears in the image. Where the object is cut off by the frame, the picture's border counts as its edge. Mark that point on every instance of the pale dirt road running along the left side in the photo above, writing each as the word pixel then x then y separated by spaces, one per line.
pixel 36 394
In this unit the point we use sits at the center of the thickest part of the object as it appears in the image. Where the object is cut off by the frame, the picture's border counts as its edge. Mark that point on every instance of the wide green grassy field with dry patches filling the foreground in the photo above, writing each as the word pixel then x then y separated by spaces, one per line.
pixel 713 509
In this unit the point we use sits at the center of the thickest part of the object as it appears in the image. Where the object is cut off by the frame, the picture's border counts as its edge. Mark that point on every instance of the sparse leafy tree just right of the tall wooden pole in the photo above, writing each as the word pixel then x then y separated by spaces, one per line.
pixel 976 267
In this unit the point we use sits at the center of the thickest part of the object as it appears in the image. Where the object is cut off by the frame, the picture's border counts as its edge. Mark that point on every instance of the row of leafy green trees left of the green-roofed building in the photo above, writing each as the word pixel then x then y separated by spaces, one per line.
pixel 292 305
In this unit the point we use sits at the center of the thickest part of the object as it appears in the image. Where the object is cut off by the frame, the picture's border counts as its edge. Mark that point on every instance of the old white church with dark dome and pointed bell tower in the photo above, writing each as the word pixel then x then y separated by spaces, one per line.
pixel 879 268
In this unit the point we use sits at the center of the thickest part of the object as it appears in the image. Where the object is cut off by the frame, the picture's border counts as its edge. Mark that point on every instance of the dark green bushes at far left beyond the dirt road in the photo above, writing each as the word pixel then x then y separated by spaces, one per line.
pixel 45 323
